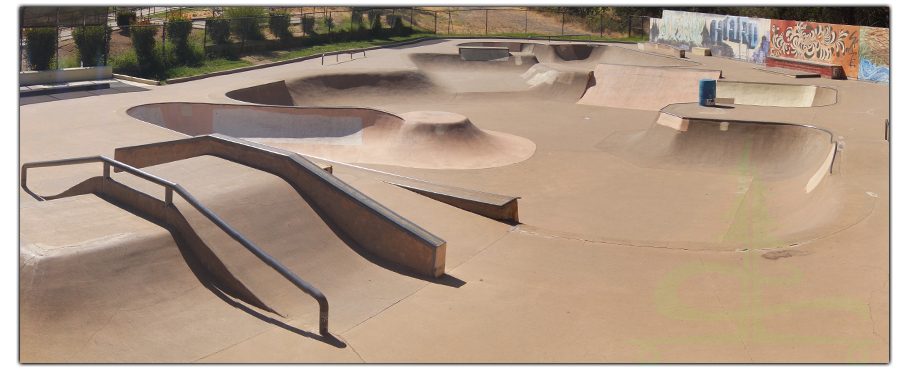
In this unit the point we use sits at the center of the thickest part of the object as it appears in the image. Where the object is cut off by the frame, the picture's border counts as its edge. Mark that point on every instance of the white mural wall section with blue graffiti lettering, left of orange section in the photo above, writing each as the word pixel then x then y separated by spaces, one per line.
pixel 742 38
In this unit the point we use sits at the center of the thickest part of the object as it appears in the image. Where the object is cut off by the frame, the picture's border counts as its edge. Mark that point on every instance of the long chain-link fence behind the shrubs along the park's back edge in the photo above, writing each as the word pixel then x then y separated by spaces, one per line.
pixel 215 35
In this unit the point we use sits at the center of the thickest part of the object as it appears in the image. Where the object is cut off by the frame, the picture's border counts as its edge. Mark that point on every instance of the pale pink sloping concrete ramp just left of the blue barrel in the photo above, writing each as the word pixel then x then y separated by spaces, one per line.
pixel 645 88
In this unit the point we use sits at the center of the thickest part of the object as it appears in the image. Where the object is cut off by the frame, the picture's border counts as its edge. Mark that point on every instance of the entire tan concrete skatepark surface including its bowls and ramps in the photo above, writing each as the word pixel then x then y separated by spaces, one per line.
pixel 649 229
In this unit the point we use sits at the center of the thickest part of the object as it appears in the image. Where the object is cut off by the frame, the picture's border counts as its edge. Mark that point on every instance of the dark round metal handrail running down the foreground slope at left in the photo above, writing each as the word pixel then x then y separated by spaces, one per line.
pixel 174 187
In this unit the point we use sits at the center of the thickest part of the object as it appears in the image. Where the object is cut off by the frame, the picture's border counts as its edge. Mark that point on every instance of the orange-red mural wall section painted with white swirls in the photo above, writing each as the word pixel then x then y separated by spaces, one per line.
pixel 810 41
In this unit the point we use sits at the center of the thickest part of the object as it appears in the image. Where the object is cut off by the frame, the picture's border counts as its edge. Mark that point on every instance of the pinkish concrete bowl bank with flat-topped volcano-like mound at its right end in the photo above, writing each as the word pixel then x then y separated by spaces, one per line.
pixel 429 140
